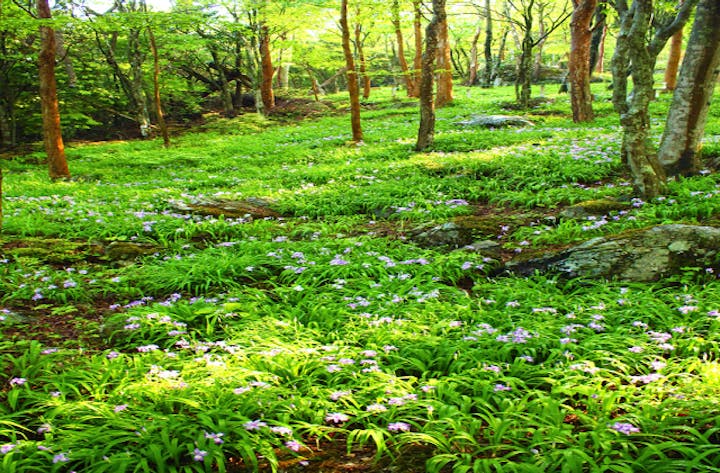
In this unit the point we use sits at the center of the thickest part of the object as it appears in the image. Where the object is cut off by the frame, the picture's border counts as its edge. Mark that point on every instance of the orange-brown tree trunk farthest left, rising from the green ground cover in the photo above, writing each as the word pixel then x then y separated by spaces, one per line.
pixel 52 134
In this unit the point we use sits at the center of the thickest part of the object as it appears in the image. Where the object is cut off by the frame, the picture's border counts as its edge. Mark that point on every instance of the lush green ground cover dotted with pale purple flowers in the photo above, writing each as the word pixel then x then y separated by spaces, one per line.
pixel 241 344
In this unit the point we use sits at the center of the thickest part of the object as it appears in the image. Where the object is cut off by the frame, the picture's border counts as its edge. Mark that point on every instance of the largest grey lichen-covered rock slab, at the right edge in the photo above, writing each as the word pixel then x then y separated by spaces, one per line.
pixel 639 256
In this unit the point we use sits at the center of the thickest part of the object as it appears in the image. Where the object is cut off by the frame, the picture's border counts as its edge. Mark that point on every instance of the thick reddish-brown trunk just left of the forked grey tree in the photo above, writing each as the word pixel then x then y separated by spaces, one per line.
pixel 579 65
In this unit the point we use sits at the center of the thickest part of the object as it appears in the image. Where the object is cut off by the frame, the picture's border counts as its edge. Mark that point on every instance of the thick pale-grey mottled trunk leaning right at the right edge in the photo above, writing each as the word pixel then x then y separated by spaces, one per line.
pixel 686 120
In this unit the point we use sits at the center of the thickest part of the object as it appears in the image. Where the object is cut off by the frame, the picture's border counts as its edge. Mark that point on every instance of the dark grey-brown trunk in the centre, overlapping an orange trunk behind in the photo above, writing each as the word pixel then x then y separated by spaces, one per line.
pixel 426 131
